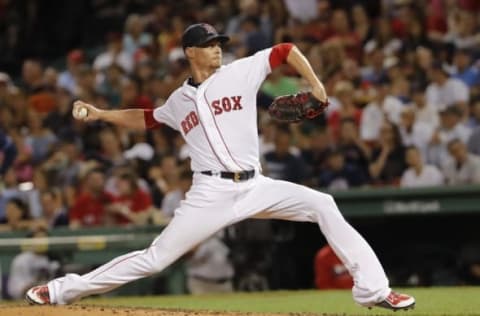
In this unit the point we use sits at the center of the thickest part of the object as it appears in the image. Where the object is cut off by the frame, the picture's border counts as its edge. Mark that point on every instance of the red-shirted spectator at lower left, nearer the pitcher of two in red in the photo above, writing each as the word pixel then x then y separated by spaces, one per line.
pixel 132 205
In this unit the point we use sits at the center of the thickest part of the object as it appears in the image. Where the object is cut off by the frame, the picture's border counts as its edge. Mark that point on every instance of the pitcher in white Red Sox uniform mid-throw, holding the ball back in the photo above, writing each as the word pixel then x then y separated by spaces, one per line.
pixel 215 111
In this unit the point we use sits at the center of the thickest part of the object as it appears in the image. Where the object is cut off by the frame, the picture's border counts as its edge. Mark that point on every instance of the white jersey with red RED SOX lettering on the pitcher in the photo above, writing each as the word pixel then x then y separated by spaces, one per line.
pixel 219 118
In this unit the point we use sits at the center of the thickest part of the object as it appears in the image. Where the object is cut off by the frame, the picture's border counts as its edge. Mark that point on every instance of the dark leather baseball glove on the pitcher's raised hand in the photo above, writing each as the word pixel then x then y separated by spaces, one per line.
pixel 296 107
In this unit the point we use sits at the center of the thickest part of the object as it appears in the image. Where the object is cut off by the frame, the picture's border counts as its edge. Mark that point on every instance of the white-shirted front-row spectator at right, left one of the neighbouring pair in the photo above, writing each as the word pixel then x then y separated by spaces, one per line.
pixel 419 174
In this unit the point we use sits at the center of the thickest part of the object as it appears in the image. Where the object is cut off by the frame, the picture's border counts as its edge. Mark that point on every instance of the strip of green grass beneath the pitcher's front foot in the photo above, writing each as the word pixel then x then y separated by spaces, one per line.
pixel 430 301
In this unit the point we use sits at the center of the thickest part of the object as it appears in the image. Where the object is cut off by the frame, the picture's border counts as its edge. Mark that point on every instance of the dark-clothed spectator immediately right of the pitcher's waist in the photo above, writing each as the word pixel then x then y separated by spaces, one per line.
pixel 280 163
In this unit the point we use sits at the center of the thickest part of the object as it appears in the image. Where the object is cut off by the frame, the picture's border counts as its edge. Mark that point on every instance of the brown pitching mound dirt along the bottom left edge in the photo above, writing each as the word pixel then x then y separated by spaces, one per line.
pixel 84 310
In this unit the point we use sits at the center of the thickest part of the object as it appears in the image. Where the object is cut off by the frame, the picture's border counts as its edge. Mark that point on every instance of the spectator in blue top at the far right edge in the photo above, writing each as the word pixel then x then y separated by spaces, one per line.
pixel 463 68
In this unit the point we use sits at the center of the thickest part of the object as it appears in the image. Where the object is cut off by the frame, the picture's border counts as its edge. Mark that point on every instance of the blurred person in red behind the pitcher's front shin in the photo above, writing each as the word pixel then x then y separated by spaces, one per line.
pixel 330 273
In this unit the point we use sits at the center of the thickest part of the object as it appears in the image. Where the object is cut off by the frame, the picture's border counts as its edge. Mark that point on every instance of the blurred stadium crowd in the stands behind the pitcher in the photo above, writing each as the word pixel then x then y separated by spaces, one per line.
pixel 403 79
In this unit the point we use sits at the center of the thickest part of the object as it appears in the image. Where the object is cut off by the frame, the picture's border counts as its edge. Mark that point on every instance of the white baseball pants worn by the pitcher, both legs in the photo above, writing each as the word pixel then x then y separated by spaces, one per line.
pixel 214 203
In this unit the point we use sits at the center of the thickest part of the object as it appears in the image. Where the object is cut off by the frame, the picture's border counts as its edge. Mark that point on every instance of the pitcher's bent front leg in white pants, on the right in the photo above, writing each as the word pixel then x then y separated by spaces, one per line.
pixel 285 200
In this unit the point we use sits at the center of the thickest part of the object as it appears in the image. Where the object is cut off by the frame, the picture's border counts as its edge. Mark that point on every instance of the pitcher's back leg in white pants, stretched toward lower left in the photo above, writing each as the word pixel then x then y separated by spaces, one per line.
pixel 184 232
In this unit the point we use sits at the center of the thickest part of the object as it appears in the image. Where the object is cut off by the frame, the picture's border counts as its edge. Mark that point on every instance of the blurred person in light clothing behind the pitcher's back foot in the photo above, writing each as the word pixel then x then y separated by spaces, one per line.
pixel 30 268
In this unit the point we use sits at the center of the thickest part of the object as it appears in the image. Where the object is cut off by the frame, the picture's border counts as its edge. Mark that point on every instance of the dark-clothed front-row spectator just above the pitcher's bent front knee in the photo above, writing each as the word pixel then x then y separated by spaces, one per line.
pixel 339 175
